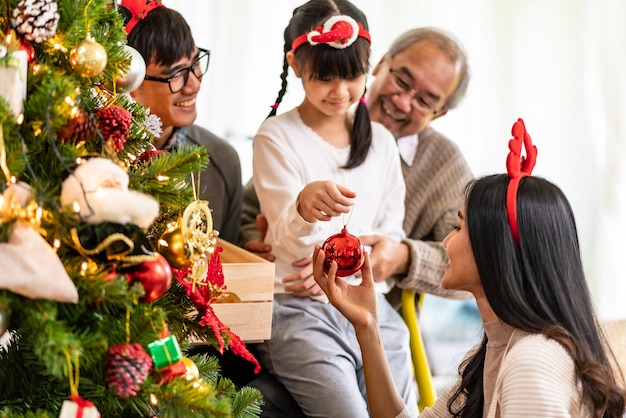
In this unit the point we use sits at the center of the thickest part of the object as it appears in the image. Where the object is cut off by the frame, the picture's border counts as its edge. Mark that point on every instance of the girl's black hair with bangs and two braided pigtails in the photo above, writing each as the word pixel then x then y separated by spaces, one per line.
pixel 324 62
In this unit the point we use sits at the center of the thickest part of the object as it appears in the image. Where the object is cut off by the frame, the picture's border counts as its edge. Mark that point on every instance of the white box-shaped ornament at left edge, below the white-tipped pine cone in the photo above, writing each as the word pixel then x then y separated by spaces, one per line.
pixel 13 71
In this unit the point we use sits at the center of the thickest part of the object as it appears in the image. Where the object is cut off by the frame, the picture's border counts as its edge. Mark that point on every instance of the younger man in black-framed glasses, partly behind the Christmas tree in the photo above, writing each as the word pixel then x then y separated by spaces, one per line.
pixel 174 70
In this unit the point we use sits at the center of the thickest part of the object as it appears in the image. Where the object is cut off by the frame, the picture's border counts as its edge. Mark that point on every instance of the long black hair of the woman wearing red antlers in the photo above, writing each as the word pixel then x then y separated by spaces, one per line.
pixel 537 287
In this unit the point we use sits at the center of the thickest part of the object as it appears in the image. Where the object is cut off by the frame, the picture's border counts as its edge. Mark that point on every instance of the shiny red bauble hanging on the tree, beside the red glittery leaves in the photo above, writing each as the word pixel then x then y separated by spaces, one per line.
pixel 155 276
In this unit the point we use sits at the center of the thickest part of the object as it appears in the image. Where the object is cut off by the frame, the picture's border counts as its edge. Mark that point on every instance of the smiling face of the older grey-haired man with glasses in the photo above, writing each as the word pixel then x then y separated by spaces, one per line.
pixel 429 77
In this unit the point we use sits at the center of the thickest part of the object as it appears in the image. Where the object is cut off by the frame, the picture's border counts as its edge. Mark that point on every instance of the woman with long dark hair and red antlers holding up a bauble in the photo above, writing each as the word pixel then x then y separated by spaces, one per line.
pixel 515 248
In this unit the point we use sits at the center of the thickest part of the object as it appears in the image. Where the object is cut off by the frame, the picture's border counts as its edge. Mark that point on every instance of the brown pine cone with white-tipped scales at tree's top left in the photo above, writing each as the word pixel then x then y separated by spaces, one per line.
pixel 36 20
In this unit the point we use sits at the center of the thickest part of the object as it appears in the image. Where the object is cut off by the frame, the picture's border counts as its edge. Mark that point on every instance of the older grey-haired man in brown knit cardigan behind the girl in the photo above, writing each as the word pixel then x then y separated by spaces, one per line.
pixel 422 76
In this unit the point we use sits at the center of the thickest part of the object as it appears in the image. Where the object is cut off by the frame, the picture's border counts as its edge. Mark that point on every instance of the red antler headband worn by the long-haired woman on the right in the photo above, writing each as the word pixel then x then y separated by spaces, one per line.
pixel 518 167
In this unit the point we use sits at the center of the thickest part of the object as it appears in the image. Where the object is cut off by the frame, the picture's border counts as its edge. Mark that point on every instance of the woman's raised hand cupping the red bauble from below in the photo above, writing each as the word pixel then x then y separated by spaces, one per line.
pixel 356 303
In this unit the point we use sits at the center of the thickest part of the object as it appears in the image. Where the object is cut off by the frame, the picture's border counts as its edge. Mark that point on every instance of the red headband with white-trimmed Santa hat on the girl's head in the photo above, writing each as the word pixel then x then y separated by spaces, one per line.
pixel 338 31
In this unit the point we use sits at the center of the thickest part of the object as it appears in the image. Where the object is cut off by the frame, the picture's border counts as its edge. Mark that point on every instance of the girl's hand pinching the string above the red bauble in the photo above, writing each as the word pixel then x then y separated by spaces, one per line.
pixel 322 200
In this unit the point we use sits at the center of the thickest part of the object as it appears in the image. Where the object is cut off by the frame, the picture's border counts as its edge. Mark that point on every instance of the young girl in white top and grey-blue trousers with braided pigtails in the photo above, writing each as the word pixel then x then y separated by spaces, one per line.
pixel 317 168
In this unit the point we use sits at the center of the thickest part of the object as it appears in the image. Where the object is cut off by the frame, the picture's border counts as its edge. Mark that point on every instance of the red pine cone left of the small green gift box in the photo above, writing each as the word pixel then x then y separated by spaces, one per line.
pixel 128 366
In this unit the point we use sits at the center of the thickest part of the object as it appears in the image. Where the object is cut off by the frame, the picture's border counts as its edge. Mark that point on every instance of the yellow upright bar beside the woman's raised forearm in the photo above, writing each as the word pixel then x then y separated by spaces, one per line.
pixel 423 375
